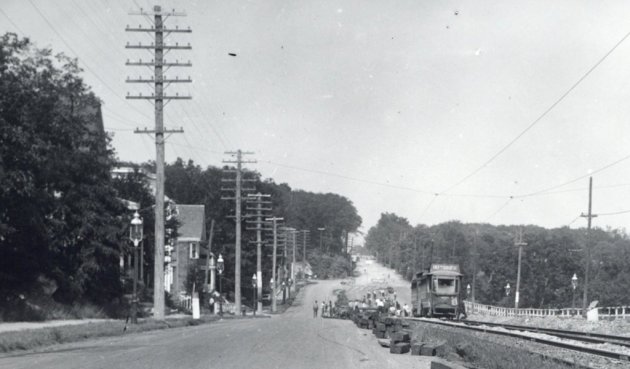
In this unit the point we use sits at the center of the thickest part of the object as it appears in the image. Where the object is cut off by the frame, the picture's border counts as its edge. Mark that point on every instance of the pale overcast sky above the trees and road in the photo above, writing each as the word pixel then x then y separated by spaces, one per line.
pixel 385 102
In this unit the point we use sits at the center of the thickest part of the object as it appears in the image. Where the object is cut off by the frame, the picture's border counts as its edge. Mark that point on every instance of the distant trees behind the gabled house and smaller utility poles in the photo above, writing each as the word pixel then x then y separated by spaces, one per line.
pixel 189 183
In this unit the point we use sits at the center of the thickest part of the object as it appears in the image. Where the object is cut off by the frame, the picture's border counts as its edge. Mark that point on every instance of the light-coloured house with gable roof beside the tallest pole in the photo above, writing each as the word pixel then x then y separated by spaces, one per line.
pixel 187 247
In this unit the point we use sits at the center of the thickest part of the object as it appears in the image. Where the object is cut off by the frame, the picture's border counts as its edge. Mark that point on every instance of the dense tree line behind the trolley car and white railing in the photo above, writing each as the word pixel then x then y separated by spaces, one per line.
pixel 488 253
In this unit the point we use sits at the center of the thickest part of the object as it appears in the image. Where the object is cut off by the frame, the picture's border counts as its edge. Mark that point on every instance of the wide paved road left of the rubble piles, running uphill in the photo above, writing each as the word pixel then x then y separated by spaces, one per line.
pixel 292 340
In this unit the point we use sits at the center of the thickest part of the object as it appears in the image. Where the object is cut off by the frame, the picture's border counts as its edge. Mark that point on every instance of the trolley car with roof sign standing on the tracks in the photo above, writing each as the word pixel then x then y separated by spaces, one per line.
pixel 436 292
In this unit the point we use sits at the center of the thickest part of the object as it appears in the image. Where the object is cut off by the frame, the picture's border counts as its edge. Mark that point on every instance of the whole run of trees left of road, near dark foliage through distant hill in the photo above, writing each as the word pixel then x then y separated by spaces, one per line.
pixel 63 226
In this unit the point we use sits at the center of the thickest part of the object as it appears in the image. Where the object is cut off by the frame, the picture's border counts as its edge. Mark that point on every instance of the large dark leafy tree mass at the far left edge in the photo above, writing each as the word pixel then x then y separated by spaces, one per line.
pixel 60 221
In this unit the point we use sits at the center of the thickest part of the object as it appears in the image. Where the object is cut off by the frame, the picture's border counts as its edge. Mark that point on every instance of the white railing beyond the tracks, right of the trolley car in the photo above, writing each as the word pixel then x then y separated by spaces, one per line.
pixel 617 312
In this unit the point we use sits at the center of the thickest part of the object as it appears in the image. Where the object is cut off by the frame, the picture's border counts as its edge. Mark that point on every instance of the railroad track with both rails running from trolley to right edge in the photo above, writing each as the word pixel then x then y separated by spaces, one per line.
pixel 510 332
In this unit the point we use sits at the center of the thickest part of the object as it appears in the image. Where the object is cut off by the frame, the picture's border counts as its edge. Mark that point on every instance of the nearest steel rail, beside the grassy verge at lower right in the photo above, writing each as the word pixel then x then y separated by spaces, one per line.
pixel 588 350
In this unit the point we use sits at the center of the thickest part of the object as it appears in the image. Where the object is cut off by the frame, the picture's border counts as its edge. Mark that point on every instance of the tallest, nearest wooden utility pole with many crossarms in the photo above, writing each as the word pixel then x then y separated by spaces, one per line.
pixel 158 97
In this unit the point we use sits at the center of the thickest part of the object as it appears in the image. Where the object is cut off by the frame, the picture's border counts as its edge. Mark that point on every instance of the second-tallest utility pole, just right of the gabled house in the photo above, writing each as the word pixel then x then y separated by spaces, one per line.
pixel 238 189
